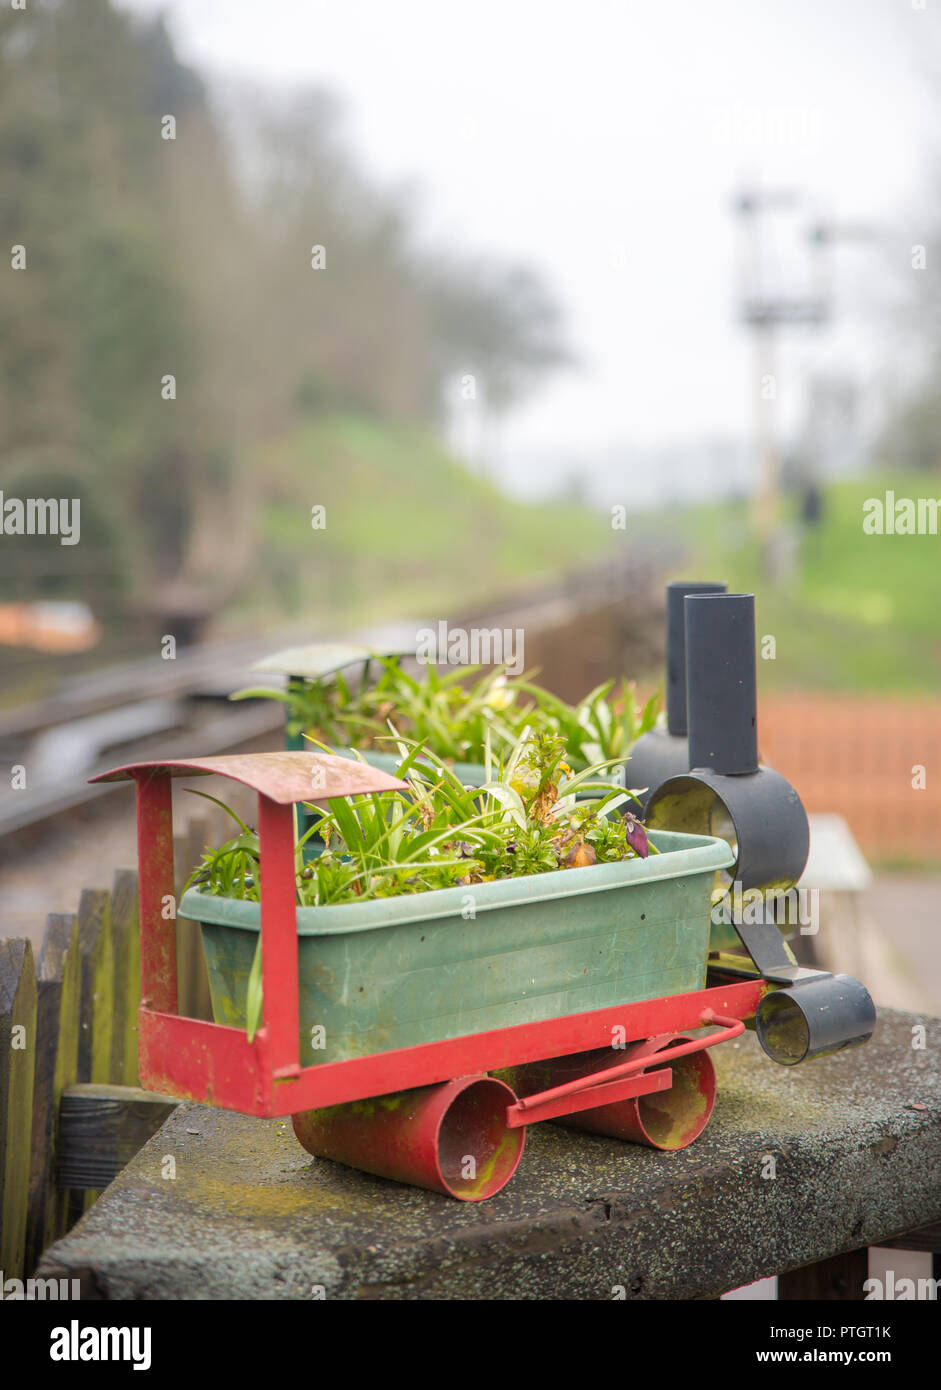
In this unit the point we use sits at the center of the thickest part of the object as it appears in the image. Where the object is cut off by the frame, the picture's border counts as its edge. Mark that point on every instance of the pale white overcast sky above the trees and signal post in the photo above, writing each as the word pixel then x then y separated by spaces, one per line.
pixel 603 141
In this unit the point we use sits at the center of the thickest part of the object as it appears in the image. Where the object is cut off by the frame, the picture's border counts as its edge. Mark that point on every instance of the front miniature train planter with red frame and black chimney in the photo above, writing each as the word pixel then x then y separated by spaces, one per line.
pixel 427 1054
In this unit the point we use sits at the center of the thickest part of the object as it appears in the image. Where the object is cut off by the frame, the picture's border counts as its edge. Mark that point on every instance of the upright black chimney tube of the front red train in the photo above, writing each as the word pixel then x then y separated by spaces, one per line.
pixel 721 682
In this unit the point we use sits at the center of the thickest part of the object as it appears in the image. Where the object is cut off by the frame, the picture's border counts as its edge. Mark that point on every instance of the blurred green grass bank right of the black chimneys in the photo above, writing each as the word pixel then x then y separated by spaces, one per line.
pixel 862 612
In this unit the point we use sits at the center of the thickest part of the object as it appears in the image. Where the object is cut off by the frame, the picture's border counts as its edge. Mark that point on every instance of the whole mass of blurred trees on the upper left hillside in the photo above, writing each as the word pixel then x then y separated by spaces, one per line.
pixel 169 322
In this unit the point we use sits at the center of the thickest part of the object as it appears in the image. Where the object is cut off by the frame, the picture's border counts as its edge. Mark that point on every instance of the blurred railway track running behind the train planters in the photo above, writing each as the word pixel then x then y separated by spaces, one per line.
pixel 152 708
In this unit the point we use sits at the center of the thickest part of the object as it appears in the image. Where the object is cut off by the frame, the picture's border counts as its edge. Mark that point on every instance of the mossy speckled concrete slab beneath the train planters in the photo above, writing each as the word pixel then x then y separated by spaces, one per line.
pixel 797 1164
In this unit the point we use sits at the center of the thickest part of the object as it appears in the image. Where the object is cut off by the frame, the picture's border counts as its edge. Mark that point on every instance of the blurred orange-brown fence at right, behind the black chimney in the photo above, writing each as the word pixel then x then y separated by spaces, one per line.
pixel 874 761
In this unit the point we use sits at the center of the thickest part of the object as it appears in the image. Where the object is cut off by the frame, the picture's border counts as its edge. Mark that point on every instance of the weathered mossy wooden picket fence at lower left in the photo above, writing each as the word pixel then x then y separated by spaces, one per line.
pixel 69 1031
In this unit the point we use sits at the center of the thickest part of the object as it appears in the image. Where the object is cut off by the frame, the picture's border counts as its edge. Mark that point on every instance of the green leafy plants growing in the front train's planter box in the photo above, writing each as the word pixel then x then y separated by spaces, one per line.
pixel 441 835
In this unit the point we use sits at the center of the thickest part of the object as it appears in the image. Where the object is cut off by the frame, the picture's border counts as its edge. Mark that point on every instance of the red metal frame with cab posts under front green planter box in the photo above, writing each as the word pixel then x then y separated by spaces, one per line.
pixel 215 1064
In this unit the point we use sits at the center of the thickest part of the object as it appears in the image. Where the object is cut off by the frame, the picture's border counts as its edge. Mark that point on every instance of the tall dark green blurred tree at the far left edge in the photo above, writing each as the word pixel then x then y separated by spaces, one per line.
pixel 98 318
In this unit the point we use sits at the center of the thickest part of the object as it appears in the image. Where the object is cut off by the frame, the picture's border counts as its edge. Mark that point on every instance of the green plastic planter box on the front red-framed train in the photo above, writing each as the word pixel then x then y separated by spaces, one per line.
pixel 397 972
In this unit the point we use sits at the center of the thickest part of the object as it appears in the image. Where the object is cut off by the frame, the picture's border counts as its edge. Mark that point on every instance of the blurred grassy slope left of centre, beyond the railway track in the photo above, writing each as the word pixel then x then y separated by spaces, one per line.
pixel 407 526
